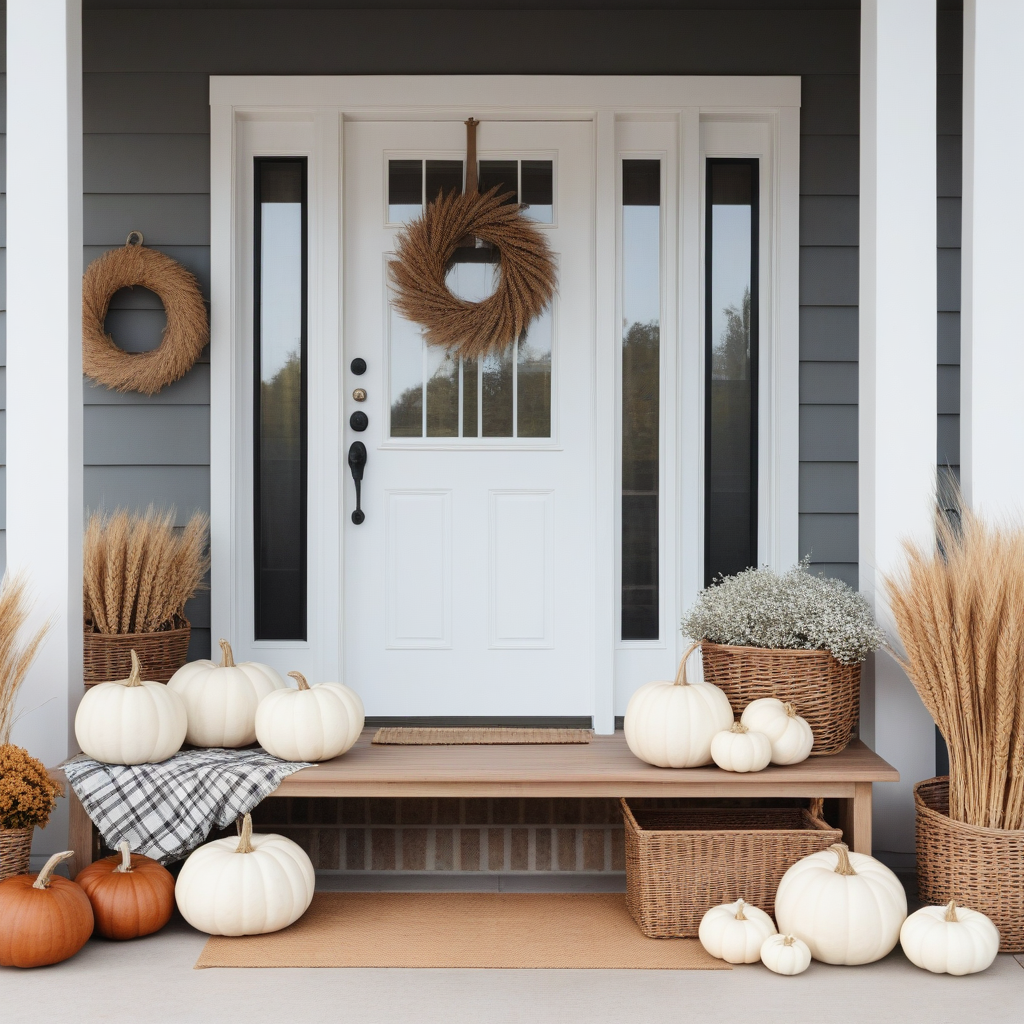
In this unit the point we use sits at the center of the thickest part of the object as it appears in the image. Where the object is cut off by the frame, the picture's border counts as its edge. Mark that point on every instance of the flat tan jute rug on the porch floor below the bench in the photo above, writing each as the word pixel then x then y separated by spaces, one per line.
pixel 462 930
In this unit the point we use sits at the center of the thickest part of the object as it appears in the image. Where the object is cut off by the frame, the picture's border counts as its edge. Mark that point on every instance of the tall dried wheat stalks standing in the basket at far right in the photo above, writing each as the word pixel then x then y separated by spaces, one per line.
pixel 960 615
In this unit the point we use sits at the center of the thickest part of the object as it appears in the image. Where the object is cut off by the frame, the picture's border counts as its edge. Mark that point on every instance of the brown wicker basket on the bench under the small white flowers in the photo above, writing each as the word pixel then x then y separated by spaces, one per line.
pixel 824 692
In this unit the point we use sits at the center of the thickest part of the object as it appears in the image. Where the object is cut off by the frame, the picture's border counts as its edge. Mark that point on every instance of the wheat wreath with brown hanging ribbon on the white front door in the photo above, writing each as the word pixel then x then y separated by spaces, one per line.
pixel 425 247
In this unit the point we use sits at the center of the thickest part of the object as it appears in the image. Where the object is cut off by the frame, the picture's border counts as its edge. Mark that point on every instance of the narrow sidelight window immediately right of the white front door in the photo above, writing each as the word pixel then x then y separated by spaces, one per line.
pixel 642 284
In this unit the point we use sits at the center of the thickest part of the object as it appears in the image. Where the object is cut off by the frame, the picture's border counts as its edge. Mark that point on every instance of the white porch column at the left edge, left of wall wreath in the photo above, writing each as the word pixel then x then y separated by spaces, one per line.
pixel 45 358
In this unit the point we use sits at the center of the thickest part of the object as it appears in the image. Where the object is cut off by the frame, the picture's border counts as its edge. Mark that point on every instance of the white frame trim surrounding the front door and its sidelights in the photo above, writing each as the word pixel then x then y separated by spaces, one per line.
pixel 705 116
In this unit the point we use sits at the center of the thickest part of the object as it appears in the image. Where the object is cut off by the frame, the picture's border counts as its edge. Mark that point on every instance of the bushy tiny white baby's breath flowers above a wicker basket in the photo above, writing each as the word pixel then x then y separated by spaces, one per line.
pixel 794 612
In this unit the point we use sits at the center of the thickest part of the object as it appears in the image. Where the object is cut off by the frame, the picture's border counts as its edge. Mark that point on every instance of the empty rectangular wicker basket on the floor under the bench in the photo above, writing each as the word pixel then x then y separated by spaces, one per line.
pixel 681 863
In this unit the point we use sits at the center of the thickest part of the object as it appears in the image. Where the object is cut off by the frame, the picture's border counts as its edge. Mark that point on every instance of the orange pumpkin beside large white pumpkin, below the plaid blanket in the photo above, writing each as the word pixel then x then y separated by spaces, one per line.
pixel 132 895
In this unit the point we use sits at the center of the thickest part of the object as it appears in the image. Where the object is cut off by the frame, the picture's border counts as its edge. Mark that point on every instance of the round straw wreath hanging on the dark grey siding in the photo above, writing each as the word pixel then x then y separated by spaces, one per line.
pixel 185 337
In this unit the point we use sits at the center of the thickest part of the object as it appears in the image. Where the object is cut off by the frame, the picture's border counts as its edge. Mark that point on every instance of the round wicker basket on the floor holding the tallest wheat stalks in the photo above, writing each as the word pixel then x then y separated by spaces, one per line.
pixel 984 869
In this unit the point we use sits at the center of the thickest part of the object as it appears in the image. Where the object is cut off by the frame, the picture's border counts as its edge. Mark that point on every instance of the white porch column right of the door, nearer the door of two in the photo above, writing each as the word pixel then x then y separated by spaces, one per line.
pixel 898 366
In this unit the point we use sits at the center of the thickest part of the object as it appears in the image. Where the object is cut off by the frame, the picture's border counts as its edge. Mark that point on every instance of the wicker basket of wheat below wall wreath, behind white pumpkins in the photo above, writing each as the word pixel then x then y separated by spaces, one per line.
pixel 140 573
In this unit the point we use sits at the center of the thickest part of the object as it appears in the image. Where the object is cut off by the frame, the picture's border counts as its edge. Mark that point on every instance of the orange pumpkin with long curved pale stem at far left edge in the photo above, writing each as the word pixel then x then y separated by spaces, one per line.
pixel 44 920
